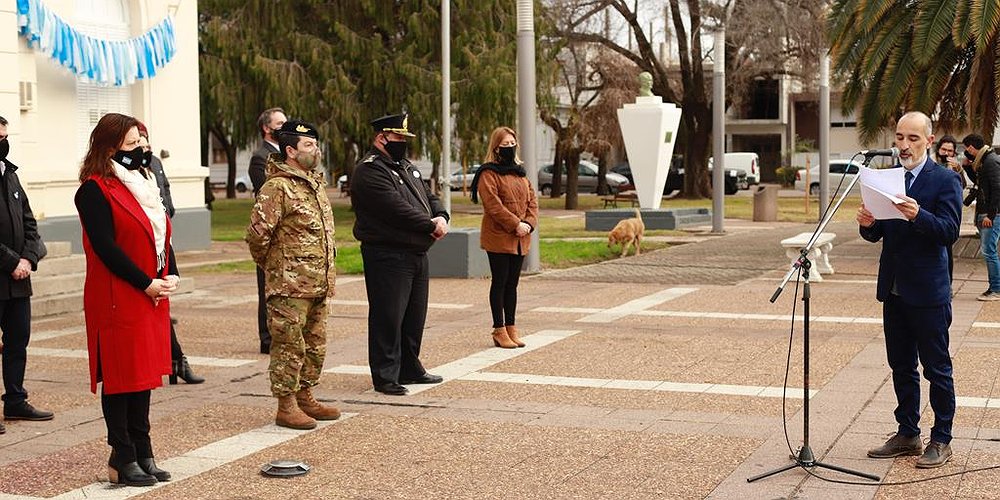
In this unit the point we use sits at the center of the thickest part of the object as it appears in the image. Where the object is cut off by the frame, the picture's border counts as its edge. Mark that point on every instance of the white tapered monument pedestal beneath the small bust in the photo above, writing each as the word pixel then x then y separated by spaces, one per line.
pixel 649 128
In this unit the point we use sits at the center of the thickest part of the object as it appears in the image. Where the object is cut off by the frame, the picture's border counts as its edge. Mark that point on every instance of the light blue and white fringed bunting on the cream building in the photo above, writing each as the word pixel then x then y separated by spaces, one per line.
pixel 108 62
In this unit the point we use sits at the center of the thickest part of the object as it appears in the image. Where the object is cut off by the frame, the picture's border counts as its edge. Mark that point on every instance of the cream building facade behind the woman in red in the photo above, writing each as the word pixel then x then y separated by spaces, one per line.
pixel 53 98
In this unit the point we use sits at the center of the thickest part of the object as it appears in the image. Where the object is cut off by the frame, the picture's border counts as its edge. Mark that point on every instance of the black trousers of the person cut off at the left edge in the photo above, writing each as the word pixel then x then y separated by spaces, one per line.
pixel 15 323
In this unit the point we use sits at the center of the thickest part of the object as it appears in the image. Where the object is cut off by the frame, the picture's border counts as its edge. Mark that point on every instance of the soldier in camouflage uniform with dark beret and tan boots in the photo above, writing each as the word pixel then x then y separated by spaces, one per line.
pixel 291 238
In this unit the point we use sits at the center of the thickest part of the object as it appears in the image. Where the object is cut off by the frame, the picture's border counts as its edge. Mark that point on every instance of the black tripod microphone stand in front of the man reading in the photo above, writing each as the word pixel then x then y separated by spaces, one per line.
pixel 806 458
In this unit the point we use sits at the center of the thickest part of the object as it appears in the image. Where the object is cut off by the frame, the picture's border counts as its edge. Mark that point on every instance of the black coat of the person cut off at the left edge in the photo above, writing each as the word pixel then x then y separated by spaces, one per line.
pixel 18 235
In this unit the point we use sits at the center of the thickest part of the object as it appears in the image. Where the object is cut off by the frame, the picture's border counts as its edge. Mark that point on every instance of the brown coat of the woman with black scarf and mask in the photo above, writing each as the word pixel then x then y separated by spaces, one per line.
pixel 507 201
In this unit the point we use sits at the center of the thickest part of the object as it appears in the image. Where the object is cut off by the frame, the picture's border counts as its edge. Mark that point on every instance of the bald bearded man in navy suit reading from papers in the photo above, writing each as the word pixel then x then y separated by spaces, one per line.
pixel 915 290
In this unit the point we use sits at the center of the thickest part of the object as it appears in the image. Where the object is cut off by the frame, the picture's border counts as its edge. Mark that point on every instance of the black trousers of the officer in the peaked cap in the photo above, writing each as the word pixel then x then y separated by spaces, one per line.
pixel 397 285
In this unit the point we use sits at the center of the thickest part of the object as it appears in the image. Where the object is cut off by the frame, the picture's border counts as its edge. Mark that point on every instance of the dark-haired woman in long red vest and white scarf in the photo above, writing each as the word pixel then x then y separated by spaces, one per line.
pixel 130 273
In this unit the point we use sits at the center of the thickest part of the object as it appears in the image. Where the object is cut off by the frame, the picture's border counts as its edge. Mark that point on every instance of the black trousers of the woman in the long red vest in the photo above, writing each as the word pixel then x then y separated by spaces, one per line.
pixel 127 418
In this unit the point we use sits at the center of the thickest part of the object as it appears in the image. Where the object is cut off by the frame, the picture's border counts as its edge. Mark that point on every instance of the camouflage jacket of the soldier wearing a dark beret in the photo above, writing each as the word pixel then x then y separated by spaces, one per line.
pixel 291 233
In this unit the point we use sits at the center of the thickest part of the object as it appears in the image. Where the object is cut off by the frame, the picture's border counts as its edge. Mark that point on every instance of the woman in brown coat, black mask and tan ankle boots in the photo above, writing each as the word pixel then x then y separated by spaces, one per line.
pixel 510 214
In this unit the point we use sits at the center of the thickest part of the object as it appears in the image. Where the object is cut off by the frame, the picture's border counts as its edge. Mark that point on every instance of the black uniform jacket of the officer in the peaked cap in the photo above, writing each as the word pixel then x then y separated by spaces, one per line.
pixel 392 204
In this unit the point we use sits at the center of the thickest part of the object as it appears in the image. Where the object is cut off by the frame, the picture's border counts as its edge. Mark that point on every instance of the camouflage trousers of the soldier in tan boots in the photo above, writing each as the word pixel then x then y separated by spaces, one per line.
pixel 298 342
